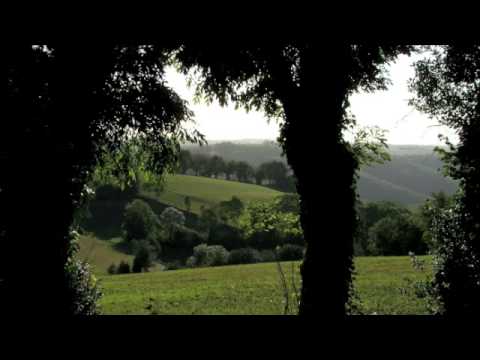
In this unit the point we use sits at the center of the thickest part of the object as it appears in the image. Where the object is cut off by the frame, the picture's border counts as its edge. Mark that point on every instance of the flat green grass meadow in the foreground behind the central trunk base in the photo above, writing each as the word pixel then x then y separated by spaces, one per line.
pixel 251 289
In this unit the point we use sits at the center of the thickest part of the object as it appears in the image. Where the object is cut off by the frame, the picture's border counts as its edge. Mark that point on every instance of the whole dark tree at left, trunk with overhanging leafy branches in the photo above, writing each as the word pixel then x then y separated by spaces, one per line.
pixel 65 106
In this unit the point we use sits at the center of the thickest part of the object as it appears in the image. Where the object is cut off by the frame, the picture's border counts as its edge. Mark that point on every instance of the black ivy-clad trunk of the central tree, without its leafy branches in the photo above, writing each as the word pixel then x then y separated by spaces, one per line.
pixel 327 197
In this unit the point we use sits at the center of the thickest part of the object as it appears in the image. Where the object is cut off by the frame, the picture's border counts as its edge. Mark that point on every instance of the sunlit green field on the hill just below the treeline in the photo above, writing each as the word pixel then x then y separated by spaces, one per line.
pixel 206 191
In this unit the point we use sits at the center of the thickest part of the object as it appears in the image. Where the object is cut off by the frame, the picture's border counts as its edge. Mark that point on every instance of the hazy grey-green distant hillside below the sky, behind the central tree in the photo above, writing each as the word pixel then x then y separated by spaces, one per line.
pixel 412 175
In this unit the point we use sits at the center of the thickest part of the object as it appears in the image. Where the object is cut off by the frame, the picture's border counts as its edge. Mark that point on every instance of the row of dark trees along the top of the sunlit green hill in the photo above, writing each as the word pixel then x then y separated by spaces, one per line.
pixel 274 174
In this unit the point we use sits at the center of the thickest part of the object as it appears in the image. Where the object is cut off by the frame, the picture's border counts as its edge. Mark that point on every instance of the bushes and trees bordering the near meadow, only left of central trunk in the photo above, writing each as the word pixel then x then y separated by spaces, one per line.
pixel 227 233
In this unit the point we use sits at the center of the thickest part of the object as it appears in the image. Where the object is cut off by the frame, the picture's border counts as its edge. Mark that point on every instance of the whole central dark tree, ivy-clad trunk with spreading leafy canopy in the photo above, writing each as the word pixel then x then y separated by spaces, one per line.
pixel 307 85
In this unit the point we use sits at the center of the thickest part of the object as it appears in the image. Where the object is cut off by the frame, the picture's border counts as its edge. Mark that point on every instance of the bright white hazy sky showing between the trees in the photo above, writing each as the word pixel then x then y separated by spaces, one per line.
pixel 387 109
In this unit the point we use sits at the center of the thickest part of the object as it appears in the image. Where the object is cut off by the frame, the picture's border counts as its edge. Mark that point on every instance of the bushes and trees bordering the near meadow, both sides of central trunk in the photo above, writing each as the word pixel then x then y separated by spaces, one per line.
pixel 233 233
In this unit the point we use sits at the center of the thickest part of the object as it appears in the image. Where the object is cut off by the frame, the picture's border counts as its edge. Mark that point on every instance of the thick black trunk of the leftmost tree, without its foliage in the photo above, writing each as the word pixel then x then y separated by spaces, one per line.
pixel 50 152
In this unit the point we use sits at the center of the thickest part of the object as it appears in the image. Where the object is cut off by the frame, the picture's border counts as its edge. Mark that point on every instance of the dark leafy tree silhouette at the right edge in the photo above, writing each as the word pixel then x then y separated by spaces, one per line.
pixel 447 86
